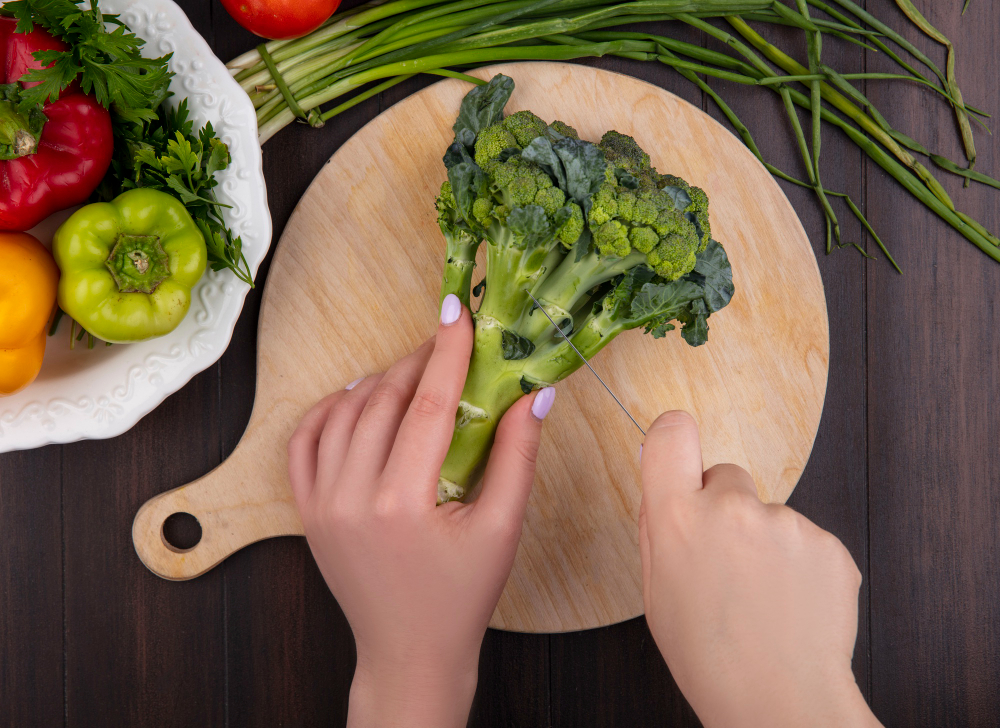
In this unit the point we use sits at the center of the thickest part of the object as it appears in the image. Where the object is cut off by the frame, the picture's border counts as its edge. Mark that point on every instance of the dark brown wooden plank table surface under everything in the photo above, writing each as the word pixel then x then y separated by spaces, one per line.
pixel 904 471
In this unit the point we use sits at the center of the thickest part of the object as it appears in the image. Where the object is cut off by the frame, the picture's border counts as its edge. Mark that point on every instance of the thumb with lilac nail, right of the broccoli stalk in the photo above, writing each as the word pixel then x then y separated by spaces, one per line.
pixel 510 471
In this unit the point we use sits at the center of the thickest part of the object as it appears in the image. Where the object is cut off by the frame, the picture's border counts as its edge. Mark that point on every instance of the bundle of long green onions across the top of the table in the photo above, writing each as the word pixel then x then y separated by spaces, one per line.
pixel 361 52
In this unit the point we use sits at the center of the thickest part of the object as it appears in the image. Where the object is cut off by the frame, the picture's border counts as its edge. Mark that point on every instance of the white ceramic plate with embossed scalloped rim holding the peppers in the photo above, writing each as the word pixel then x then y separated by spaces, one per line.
pixel 93 394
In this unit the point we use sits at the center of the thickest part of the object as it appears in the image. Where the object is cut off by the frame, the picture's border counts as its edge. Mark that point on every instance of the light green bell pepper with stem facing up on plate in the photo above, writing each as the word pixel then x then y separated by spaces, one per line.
pixel 128 266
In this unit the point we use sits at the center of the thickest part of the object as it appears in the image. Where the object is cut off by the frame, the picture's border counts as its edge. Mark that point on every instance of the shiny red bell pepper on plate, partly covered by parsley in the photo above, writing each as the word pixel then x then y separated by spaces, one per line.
pixel 53 157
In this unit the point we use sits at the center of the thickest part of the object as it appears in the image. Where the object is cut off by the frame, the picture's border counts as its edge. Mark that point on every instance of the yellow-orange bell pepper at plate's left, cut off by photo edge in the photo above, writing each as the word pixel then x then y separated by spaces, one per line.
pixel 29 280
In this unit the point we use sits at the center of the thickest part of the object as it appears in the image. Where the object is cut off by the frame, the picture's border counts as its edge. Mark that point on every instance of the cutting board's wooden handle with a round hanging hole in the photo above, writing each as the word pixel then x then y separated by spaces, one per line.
pixel 244 500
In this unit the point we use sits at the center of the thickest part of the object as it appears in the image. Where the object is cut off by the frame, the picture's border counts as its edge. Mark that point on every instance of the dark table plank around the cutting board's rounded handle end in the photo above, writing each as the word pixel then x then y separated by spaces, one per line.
pixel 173 640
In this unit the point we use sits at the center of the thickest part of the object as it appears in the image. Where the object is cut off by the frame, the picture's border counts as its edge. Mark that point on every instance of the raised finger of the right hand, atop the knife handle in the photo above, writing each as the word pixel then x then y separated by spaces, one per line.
pixel 671 457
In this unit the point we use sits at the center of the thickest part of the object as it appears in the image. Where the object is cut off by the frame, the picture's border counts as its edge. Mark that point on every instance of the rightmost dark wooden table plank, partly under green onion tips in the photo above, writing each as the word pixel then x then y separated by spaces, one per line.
pixel 933 428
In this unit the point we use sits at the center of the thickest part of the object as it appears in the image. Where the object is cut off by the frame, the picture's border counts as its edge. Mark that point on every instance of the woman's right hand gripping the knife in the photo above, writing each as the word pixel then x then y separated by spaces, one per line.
pixel 753 606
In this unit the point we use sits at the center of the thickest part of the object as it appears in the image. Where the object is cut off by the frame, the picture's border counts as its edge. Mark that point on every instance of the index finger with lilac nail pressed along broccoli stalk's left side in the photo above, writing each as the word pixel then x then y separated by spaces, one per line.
pixel 427 427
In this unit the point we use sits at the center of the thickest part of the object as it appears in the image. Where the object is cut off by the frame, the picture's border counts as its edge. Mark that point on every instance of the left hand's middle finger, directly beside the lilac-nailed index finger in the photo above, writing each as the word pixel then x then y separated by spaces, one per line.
pixel 378 424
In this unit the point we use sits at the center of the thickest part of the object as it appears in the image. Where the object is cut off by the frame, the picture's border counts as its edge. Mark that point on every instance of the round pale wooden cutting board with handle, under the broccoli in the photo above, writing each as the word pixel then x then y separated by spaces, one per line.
pixel 354 287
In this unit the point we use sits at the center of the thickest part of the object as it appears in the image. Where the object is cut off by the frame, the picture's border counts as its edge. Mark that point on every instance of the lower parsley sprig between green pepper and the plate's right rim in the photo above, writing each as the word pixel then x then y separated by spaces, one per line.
pixel 167 155
